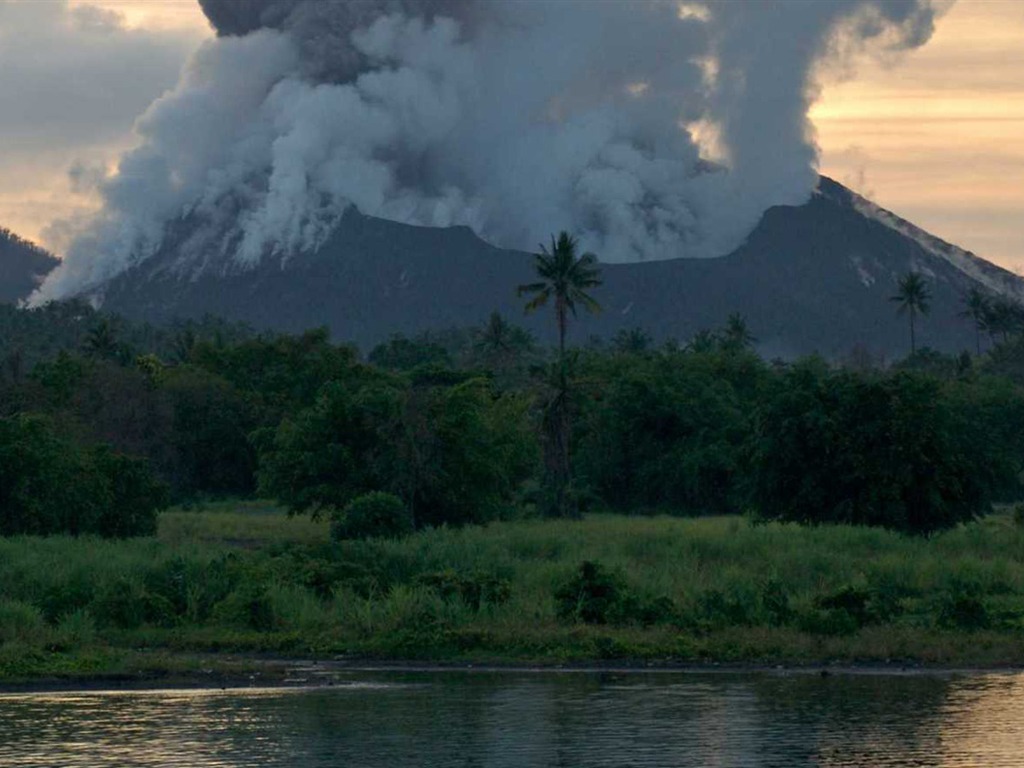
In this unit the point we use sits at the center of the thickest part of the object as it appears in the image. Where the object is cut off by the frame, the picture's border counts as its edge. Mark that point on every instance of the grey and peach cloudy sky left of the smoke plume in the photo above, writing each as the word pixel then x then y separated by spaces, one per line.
pixel 74 80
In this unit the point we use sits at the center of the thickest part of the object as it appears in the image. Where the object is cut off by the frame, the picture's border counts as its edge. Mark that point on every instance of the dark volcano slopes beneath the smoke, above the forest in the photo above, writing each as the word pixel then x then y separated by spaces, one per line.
pixel 814 278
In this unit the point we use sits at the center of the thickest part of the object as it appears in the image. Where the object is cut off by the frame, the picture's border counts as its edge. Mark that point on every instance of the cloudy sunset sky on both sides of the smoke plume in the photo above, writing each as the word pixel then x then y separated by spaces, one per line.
pixel 936 137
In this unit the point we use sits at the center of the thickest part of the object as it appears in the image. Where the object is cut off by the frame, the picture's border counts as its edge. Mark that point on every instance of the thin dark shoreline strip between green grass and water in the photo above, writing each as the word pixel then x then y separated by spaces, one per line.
pixel 261 673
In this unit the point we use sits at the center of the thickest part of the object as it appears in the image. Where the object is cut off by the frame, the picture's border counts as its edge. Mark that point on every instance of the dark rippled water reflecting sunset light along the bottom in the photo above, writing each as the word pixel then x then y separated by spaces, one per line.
pixel 479 719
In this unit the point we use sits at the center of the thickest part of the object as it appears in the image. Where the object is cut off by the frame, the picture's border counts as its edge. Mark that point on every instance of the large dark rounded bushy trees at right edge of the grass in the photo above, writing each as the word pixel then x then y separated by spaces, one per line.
pixel 890 451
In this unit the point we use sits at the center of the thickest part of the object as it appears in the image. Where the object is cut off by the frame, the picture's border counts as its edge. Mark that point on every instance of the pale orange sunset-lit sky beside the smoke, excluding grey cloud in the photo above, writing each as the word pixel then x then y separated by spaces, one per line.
pixel 937 138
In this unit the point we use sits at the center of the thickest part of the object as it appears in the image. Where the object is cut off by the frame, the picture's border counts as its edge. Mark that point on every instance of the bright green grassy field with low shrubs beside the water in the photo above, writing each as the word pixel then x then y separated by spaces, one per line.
pixel 243 578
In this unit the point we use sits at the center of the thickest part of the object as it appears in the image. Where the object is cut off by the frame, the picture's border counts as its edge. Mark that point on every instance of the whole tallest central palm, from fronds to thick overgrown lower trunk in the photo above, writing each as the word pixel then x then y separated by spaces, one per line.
pixel 566 279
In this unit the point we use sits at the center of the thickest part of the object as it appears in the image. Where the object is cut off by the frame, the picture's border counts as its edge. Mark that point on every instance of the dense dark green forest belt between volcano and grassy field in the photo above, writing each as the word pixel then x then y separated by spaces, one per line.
pixel 104 422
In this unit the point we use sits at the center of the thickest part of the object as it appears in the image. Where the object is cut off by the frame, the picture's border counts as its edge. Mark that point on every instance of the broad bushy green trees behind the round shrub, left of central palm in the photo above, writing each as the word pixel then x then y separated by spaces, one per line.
pixel 454 453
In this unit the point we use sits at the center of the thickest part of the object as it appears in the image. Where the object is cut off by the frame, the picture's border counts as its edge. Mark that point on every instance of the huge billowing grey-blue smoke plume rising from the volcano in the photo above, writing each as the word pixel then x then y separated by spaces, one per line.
pixel 652 130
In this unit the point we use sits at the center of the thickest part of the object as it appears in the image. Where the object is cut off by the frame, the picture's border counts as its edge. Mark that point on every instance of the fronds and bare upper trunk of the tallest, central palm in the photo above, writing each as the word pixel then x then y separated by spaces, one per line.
pixel 566 278
